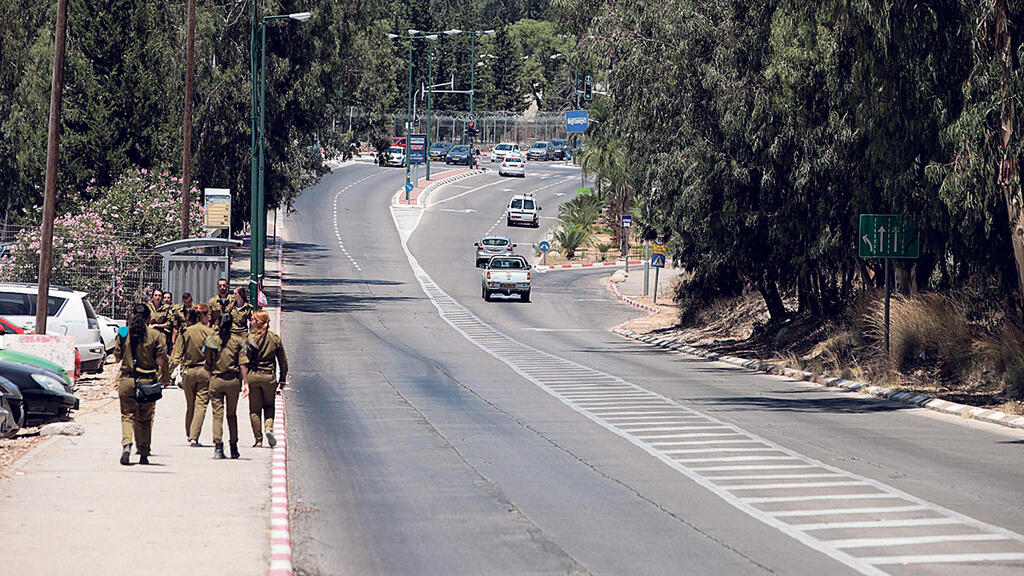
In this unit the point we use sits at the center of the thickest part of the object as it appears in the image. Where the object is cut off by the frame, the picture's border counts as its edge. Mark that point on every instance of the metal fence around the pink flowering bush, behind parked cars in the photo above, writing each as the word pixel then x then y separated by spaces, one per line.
pixel 114 271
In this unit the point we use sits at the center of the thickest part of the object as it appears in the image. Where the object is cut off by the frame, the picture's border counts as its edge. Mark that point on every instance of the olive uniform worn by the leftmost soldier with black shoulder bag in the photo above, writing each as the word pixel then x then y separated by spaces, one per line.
pixel 143 363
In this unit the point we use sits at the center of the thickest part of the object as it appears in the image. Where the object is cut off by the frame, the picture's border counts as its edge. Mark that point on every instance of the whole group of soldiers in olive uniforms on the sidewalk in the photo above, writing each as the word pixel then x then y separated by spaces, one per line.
pixel 223 350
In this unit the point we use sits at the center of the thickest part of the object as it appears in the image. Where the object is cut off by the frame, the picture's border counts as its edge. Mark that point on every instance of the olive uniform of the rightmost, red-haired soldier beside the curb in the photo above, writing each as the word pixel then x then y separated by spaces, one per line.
pixel 264 354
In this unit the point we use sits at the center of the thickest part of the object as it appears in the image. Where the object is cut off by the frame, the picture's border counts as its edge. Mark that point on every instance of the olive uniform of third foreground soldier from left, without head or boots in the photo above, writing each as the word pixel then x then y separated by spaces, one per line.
pixel 225 364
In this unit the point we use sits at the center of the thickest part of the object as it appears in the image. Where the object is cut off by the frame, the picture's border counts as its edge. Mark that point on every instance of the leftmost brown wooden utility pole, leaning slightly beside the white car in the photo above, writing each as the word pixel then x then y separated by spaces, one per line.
pixel 53 151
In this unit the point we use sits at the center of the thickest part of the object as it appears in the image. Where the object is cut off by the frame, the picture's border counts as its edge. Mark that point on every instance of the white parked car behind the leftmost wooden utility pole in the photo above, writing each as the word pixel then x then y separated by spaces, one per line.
pixel 71 315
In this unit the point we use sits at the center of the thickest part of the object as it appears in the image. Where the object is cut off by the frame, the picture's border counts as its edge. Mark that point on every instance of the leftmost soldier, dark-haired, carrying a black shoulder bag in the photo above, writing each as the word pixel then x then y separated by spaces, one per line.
pixel 143 352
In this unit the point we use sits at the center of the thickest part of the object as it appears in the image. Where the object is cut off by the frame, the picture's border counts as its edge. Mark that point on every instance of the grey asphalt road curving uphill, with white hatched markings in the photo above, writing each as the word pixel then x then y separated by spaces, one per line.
pixel 432 433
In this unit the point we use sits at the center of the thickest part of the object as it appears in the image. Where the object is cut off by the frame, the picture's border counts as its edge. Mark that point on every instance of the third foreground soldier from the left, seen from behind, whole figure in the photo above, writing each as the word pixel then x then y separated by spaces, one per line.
pixel 227 363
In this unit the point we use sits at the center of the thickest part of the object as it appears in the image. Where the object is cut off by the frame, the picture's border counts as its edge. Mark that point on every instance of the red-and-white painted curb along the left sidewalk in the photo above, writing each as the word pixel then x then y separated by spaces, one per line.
pixel 281 527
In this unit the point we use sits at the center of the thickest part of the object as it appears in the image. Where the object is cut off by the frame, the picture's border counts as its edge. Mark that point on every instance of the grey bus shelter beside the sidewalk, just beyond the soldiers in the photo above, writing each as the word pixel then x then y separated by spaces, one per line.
pixel 195 265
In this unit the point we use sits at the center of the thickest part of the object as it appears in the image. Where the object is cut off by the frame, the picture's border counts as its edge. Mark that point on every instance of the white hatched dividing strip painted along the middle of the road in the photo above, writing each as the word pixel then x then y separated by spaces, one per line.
pixel 775 486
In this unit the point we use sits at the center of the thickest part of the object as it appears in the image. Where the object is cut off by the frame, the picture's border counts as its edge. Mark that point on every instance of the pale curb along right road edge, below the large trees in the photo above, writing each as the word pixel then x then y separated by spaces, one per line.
pixel 903 397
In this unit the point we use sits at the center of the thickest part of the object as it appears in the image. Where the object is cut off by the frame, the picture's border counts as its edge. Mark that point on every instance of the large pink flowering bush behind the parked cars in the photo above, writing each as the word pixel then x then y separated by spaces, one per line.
pixel 105 248
